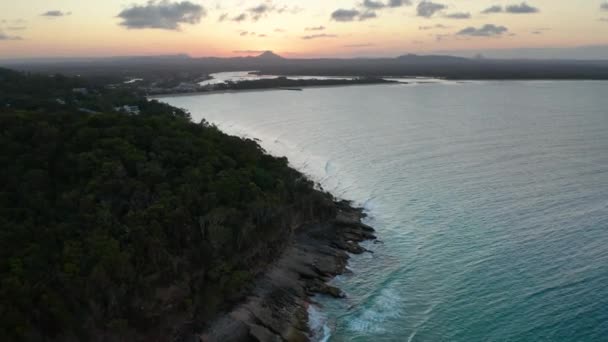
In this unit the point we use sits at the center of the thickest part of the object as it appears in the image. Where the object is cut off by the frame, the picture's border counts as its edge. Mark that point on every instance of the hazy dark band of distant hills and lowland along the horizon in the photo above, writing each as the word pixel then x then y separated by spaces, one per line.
pixel 270 63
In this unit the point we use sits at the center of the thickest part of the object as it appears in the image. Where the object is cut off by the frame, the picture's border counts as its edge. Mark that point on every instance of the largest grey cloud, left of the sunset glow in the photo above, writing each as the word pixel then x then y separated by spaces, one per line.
pixel 162 14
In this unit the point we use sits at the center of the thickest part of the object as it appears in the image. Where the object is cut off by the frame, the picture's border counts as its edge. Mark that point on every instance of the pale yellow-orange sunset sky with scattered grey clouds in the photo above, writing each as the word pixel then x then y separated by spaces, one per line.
pixel 301 28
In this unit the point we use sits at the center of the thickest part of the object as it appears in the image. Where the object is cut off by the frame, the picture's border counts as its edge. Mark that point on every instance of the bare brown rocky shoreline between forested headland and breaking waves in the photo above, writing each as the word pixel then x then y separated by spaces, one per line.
pixel 276 309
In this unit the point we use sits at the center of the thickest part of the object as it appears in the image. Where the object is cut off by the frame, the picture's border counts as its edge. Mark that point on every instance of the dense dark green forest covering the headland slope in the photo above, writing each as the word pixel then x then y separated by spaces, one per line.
pixel 117 226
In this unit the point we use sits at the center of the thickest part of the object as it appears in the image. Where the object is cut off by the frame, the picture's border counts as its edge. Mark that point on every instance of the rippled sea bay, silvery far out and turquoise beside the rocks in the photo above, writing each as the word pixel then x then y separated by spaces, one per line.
pixel 491 199
